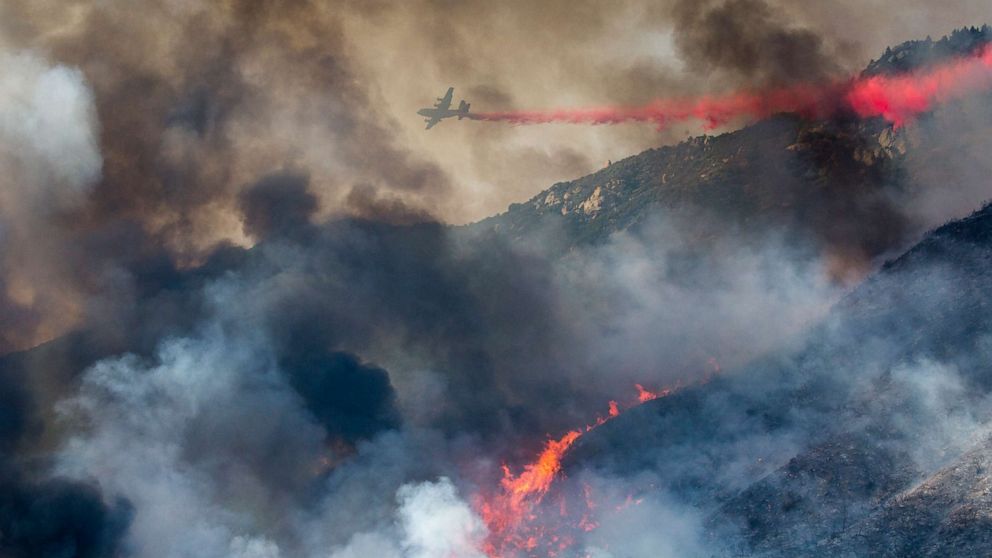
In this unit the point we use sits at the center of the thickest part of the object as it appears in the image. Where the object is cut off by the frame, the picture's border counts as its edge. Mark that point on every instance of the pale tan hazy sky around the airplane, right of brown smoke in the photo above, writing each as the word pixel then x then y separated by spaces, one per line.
pixel 502 55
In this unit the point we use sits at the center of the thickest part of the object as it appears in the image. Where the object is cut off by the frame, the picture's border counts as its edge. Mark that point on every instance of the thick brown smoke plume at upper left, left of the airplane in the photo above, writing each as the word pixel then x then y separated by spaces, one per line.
pixel 161 137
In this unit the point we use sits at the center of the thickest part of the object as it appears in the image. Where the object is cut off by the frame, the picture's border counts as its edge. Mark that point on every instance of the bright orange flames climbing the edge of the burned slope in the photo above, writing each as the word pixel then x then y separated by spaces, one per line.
pixel 511 513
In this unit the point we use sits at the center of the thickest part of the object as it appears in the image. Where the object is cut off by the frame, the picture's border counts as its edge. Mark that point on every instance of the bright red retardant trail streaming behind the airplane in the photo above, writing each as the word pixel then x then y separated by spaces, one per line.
pixel 897 99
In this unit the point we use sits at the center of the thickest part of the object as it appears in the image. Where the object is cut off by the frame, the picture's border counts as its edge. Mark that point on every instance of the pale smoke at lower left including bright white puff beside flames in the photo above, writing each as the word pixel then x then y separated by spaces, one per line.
pixel 194 436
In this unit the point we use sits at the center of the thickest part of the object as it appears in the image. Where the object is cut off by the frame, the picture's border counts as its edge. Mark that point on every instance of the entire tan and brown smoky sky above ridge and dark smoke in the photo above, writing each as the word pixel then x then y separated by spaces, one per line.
pixel 158 115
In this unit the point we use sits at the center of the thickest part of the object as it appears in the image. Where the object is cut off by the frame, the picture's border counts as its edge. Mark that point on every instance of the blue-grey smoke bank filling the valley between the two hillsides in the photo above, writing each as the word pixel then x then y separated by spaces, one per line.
pixel 260 432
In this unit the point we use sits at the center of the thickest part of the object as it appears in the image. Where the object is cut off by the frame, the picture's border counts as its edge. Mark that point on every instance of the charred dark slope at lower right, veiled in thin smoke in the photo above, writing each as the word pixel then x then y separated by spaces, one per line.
pixel 824 449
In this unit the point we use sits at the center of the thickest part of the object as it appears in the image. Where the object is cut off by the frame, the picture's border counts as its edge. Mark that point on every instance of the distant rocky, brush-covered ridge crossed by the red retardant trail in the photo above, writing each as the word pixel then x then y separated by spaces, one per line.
pixel 837 185
